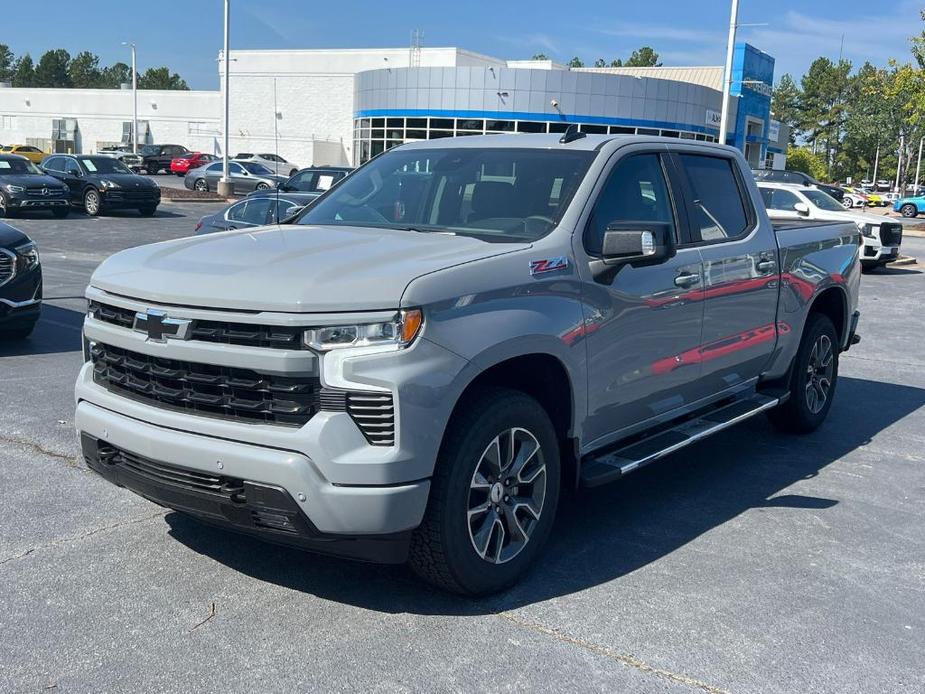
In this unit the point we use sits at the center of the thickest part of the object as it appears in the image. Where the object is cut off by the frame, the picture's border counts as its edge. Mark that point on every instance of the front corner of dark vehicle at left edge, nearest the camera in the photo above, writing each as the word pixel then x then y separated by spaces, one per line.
pixel 20 283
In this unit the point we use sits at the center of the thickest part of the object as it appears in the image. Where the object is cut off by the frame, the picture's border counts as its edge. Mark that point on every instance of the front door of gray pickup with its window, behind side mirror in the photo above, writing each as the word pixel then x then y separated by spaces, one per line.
pixel 643 326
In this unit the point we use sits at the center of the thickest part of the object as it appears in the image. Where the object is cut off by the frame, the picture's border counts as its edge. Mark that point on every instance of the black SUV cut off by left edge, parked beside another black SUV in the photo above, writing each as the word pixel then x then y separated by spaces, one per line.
pixel 23 187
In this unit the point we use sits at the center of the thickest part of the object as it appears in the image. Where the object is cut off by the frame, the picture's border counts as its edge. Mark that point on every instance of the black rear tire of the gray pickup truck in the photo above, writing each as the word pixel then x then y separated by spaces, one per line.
pixel 799 415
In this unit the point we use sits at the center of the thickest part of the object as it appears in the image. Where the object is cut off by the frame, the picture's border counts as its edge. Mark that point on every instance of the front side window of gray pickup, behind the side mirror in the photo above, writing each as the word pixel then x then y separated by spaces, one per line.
pixel 635 191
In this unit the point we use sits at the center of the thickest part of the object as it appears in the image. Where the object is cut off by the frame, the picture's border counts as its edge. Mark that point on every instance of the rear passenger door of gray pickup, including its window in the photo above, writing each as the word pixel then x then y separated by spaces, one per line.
pixel 740 269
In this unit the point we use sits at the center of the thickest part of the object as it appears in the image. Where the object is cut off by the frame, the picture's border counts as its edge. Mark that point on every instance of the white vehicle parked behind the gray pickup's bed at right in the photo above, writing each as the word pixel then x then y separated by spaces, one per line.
pixel 881 236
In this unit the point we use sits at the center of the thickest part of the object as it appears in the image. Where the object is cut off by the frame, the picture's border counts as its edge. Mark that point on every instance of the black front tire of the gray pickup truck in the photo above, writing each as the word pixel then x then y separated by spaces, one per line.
pixel 443 549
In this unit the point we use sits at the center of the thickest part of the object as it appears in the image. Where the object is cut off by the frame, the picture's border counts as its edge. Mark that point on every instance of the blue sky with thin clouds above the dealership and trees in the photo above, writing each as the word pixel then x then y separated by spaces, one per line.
pixel 186 35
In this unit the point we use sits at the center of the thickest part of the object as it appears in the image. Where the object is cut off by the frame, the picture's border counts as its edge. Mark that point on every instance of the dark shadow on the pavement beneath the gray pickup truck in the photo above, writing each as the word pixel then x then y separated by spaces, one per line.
pixel 605 533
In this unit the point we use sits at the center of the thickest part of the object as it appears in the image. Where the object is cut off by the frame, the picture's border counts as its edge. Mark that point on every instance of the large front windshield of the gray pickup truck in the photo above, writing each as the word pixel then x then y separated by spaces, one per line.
pixel 491 193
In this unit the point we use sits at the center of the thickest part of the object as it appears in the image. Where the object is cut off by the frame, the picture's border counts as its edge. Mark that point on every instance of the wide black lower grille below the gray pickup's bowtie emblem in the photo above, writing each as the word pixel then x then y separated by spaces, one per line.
pixel 205 389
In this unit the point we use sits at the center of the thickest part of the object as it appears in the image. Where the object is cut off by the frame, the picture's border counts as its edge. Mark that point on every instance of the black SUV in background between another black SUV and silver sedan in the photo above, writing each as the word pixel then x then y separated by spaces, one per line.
pixel 100 182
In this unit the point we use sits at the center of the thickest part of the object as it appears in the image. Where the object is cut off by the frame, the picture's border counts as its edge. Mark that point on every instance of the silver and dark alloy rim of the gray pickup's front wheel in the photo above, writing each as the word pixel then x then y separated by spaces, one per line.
pixel 506 495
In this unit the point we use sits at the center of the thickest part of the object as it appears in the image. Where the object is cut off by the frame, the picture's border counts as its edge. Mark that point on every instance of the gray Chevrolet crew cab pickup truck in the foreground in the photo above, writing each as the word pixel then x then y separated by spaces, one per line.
pixel 417 365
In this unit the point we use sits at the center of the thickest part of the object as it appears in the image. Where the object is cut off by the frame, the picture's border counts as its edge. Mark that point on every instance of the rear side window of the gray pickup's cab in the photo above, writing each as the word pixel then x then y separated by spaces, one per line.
pixel 719 206
